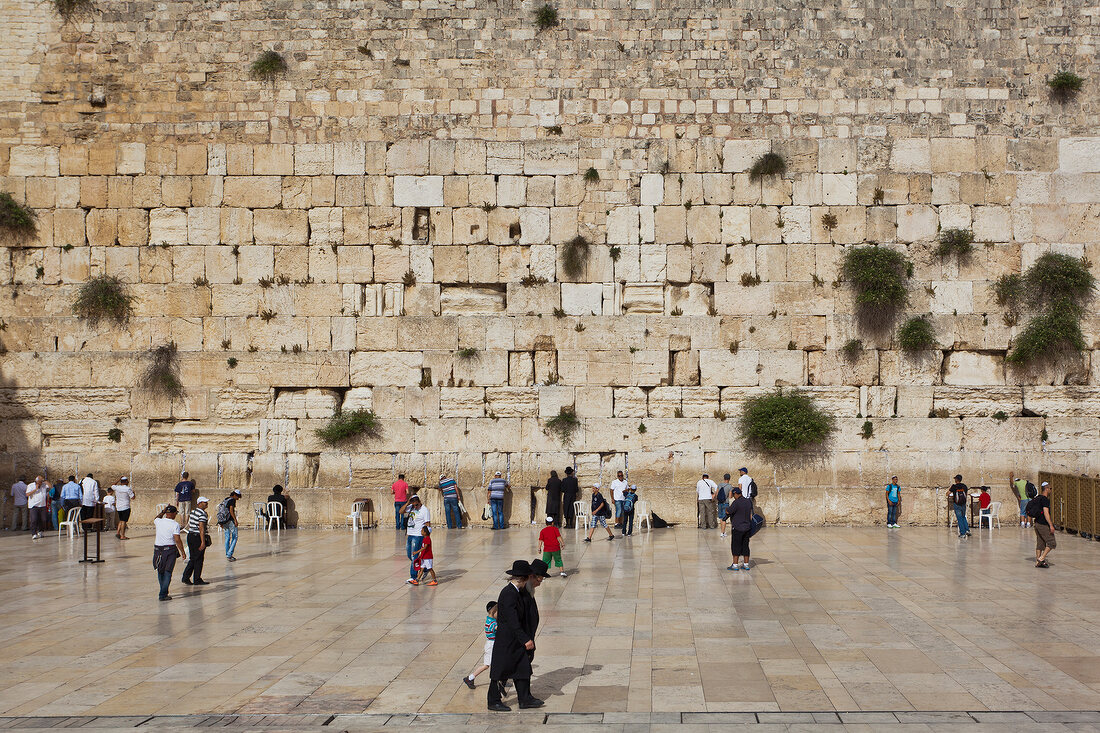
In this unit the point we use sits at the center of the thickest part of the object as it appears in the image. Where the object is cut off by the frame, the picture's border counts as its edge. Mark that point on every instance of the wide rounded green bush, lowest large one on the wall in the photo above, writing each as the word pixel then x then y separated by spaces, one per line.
pixel 785 422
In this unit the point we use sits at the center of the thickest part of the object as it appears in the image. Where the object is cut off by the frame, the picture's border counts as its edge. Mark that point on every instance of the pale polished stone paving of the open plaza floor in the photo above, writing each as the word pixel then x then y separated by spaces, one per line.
pixel 856 629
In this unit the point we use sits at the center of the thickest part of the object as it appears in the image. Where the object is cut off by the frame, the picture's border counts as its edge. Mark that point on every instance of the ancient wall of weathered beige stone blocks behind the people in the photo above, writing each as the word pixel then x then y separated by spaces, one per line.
pixel 384 227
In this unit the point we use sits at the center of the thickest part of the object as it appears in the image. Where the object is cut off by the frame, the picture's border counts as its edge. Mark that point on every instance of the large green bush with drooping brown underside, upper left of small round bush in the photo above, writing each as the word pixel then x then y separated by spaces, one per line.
pixel 881 278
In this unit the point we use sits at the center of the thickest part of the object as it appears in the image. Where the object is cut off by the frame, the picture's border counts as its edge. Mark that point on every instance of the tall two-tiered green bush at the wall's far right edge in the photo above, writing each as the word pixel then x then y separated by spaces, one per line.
pixel 1058 288
